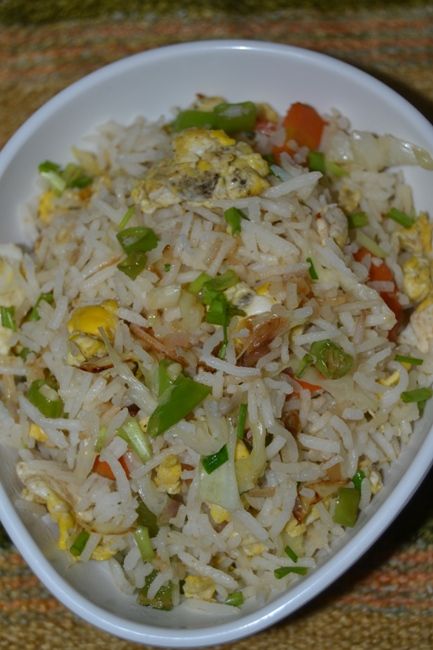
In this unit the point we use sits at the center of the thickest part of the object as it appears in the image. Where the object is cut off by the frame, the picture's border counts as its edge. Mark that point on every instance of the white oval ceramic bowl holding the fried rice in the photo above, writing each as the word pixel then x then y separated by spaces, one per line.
pixel 151 84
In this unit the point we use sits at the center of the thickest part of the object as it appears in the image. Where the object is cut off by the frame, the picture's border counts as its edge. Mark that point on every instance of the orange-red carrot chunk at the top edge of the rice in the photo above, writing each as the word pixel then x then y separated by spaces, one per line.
pixel 304 125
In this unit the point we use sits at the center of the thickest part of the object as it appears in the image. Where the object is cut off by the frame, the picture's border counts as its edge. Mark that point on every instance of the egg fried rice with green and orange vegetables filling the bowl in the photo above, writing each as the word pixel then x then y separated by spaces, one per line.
pixel 217 346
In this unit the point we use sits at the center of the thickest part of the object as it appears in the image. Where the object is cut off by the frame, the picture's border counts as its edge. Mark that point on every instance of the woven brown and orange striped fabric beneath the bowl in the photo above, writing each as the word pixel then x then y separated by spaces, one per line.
pixel 386 601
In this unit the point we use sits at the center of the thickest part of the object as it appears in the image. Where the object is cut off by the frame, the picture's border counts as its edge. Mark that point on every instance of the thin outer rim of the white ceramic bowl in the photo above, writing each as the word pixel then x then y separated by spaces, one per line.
pixel 353 548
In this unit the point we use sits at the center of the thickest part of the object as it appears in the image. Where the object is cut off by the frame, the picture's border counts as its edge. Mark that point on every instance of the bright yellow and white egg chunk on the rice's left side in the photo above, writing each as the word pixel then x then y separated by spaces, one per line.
pixel 84 325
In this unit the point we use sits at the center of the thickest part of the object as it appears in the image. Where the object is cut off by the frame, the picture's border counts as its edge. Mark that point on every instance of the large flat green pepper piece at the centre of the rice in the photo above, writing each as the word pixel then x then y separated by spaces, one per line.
pixel 176 403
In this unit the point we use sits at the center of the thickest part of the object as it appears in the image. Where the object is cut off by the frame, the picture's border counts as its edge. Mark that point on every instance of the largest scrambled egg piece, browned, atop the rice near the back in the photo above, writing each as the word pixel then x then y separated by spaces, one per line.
pixel 205 164
